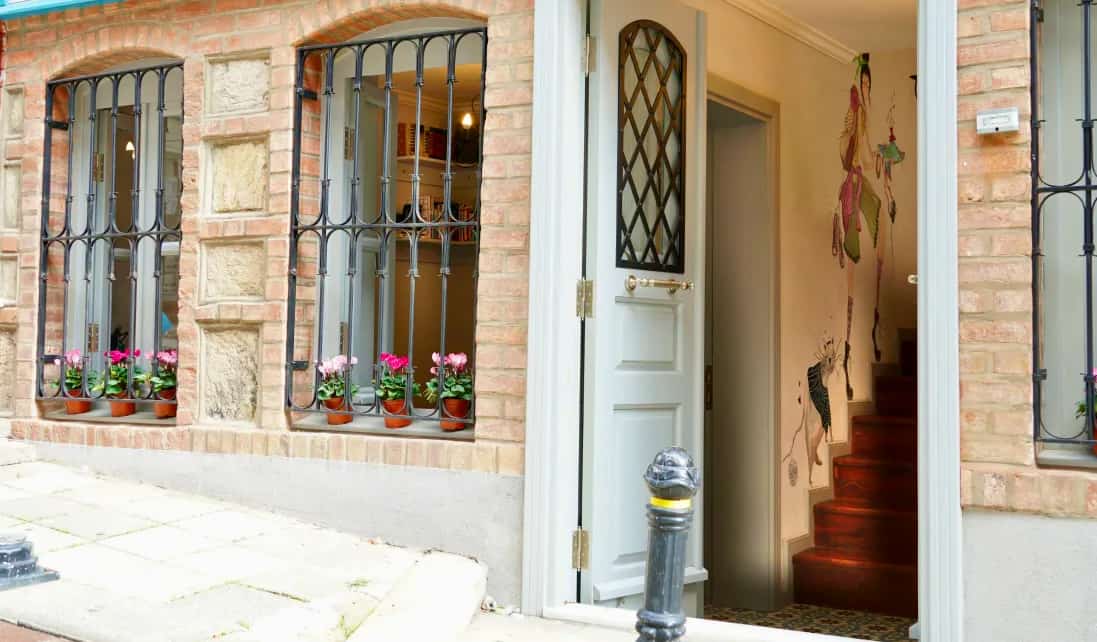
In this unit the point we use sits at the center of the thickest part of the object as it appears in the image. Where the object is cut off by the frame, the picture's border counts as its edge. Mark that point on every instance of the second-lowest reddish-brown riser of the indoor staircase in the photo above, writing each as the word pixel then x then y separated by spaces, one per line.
pixel 887 538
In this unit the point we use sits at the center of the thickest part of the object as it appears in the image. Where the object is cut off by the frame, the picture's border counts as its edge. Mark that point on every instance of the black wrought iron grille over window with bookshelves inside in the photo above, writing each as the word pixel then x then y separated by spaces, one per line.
pixel 331 219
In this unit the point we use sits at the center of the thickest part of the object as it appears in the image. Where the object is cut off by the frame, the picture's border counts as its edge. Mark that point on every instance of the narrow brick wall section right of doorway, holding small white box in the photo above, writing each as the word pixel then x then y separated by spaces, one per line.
pixel 998 449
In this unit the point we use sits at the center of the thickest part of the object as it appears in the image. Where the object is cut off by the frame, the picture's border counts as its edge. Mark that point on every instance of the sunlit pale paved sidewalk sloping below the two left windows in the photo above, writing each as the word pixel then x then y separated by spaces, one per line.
pixel 144 565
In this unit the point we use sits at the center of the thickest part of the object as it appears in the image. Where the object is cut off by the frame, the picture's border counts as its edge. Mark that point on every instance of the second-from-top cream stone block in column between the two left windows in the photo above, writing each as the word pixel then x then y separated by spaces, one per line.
pixel 240 176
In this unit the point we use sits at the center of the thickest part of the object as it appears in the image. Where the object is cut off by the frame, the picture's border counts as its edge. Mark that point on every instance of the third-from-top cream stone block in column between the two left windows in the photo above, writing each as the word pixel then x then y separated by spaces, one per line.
pixel 233 271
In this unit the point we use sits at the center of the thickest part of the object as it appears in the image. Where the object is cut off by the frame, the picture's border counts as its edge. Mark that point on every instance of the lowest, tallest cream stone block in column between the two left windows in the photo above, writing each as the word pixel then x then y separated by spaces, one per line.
pixel 230 377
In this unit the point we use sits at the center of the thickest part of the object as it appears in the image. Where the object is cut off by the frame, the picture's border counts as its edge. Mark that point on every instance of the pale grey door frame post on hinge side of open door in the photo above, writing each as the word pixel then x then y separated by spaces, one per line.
pixel 552 401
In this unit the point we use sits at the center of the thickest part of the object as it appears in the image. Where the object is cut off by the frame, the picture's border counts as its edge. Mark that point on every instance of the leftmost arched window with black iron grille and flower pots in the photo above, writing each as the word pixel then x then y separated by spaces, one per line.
pixel 109 261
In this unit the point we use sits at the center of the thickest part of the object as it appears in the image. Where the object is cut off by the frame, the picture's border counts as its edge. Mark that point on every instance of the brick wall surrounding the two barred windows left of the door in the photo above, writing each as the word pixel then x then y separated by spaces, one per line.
pixel 246 138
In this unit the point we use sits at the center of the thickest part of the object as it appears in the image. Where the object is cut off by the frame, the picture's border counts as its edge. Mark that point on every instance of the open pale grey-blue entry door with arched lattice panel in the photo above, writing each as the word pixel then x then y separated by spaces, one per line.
pixel 643 344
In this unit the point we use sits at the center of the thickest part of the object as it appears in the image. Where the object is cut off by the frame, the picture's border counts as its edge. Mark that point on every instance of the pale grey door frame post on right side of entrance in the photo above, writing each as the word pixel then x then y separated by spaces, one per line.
pixel 941 580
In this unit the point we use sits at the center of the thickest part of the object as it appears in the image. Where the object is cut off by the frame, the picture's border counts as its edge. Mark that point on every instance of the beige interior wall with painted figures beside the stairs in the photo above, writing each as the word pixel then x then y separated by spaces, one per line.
pixel 813 93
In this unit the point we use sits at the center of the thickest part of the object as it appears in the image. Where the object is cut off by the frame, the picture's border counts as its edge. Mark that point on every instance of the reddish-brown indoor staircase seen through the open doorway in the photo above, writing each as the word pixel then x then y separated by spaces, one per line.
pixel 866 550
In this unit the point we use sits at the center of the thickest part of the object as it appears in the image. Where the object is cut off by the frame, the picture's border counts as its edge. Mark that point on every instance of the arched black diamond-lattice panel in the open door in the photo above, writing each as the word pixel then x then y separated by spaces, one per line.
pixel 651 150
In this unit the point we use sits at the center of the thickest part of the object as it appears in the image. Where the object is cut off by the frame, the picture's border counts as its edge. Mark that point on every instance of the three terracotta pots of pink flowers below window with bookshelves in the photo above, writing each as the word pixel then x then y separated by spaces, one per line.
pixel 453 384
